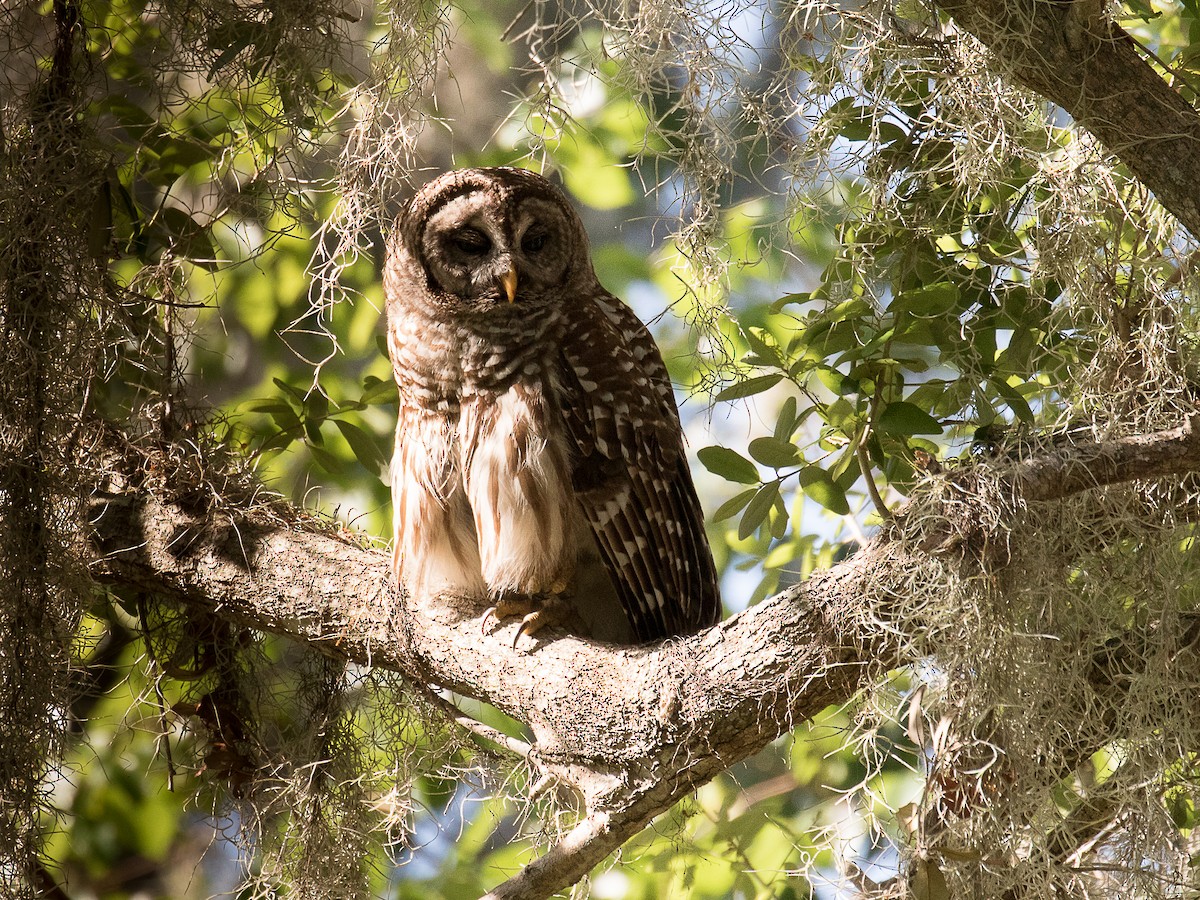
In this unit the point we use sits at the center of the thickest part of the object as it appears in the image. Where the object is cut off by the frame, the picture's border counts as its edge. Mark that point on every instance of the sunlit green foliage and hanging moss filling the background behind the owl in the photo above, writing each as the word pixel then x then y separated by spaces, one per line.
pixel 861 250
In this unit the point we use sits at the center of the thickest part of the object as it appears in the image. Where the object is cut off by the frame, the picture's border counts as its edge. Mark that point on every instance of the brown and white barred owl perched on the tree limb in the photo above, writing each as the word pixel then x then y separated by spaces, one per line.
pixel 539 457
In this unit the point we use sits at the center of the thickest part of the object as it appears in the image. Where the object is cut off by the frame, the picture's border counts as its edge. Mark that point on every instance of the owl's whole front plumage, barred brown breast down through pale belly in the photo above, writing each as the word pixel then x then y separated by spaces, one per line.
pixel 481 443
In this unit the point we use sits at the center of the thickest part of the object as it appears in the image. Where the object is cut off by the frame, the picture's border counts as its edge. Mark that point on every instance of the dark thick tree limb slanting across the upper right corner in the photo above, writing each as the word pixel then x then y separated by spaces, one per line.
pixel 1093 69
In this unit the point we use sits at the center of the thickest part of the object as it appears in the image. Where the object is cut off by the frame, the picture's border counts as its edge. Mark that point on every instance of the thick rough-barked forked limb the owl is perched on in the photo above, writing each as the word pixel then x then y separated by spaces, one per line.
pixel 633 729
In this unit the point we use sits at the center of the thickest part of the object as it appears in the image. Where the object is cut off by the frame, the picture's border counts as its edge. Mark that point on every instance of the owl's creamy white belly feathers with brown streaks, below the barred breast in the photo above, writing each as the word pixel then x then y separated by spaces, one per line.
pixel 485 503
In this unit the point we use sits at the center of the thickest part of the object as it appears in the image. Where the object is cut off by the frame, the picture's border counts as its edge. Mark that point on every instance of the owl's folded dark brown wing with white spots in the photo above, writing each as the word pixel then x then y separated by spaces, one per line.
pixel 631 472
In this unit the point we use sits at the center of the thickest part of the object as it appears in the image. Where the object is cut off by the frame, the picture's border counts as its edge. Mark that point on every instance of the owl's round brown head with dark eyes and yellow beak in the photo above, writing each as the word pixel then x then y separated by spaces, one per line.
pixel 495 239
